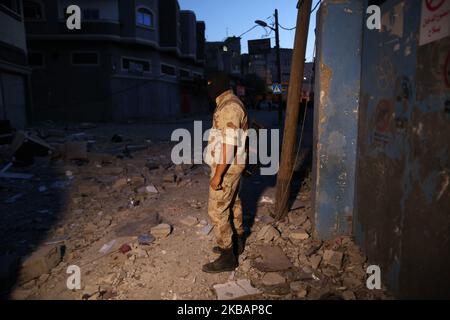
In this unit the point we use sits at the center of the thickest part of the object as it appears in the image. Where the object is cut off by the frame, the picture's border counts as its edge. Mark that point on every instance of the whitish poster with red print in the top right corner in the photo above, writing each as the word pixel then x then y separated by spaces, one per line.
pixel 435 21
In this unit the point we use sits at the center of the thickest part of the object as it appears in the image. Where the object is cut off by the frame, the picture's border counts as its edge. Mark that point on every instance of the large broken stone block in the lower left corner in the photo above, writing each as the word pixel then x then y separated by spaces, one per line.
pixel 40 262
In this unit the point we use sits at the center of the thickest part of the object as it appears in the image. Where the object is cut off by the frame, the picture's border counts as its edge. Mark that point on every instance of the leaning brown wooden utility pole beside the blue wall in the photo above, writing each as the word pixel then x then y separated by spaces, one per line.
pixel 292 110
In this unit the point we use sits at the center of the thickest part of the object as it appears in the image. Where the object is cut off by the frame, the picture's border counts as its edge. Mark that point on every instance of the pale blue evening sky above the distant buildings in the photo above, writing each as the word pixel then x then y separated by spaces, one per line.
pixel 233 17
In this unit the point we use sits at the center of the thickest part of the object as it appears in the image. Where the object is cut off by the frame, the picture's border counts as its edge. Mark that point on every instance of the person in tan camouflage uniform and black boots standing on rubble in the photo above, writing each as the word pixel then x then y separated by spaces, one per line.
pixel 226 156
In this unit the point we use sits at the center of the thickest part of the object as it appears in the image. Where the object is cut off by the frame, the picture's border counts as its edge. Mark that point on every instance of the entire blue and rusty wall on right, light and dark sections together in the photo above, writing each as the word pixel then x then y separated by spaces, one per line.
pixel 393 118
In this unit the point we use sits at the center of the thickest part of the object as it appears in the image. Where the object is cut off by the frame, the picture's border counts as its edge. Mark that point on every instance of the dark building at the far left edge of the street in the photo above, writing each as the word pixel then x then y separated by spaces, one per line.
pixel 14 72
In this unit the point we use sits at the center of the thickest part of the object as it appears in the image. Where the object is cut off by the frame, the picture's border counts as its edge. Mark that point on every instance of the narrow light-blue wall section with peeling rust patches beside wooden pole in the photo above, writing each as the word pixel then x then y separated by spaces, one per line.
pixel 335 130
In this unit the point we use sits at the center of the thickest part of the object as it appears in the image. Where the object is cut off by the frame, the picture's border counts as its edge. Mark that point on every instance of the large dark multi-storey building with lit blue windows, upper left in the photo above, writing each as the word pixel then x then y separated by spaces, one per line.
pixel 130 59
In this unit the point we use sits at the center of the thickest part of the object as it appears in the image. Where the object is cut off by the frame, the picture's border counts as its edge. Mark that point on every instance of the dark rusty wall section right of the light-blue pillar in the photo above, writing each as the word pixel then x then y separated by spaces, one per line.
pixel 403 190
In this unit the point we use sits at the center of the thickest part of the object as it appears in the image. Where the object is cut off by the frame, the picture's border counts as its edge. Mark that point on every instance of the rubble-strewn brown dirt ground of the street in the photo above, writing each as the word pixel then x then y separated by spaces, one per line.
pixel 81 206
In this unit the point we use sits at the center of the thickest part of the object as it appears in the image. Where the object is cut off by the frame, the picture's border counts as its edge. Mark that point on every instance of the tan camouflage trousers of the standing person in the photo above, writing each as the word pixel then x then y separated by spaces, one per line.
pixel 225 209
